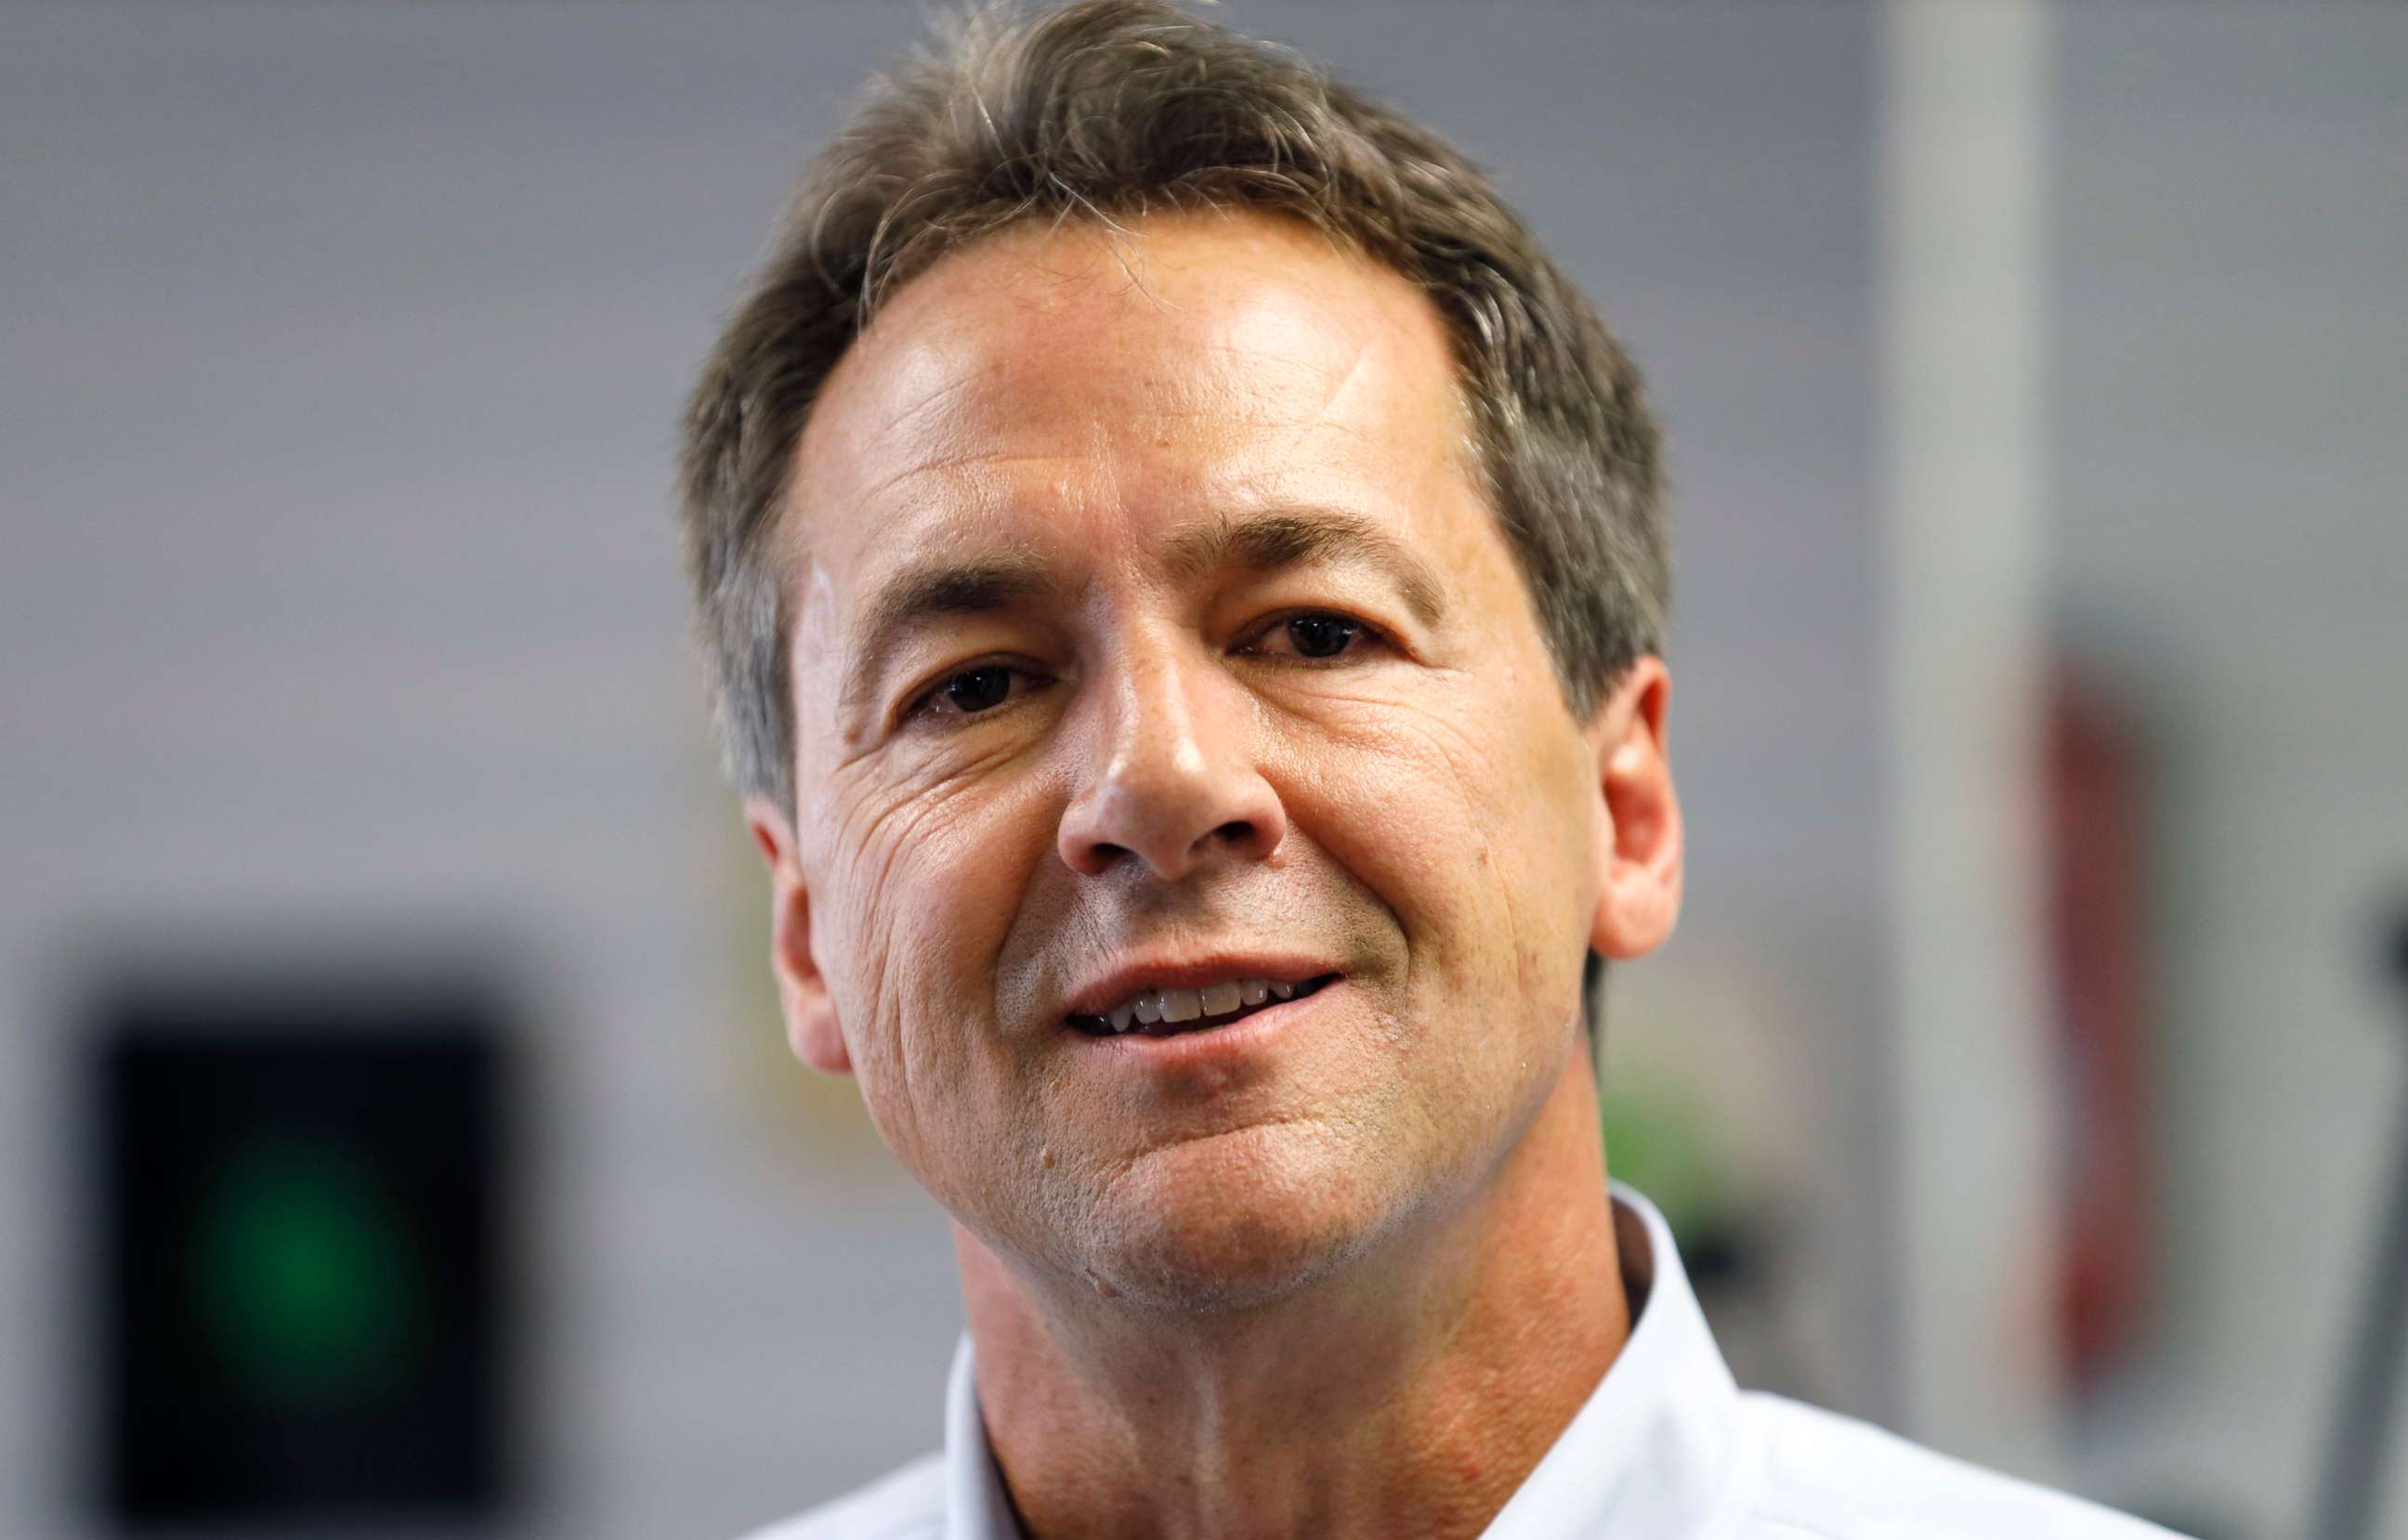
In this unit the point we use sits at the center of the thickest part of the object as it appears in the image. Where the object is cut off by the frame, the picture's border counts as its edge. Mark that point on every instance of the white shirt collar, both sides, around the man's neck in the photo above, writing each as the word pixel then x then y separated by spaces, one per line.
pixel 1648 1455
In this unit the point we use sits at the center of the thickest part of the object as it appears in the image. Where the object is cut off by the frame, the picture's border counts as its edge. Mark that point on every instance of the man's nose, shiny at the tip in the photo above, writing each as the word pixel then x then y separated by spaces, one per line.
pixel 1171 781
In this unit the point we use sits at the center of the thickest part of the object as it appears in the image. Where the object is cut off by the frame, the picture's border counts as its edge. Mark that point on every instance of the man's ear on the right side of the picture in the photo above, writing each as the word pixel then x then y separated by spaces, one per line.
pixel 1639 841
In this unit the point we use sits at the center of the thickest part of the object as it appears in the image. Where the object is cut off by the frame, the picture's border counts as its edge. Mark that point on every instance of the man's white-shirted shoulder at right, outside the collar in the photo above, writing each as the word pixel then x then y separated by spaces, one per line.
pixel 1829 1476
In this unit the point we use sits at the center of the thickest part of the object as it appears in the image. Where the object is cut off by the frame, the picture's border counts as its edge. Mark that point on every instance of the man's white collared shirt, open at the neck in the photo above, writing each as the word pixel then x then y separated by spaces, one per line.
pixel 1665 1450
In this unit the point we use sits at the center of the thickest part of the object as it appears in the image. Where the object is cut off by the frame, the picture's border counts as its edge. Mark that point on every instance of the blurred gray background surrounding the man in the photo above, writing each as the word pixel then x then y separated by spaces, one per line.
pixel 341 624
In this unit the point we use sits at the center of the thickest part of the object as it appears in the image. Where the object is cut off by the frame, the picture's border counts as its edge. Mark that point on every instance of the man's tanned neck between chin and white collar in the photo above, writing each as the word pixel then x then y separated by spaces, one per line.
pixel 1407 1397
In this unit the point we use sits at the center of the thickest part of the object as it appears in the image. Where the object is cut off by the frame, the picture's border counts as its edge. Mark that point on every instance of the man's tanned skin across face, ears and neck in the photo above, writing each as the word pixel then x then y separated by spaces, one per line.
pixel 1147 617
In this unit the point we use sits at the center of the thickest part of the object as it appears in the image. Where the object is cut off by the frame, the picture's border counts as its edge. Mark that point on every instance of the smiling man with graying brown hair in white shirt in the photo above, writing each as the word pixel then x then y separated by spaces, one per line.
pixel 1186 588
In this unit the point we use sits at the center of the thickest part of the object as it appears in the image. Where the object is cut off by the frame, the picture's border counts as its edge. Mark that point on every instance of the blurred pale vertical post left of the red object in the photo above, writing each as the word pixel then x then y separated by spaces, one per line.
pixel 1964 302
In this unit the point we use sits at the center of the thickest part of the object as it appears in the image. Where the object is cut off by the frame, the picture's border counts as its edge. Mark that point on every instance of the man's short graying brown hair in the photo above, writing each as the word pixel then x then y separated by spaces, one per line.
pixel 1109 109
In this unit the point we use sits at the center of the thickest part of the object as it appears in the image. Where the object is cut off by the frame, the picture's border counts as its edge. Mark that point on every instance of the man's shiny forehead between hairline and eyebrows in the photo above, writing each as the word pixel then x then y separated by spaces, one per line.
pixel 1082 389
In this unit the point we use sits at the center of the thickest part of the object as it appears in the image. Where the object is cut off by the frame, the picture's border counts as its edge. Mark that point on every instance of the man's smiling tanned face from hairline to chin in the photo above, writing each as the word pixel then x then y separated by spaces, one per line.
pixel 1152 634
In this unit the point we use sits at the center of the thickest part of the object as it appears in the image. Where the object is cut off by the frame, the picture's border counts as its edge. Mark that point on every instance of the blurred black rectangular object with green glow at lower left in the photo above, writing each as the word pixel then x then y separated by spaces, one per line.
pixel 302 1260
